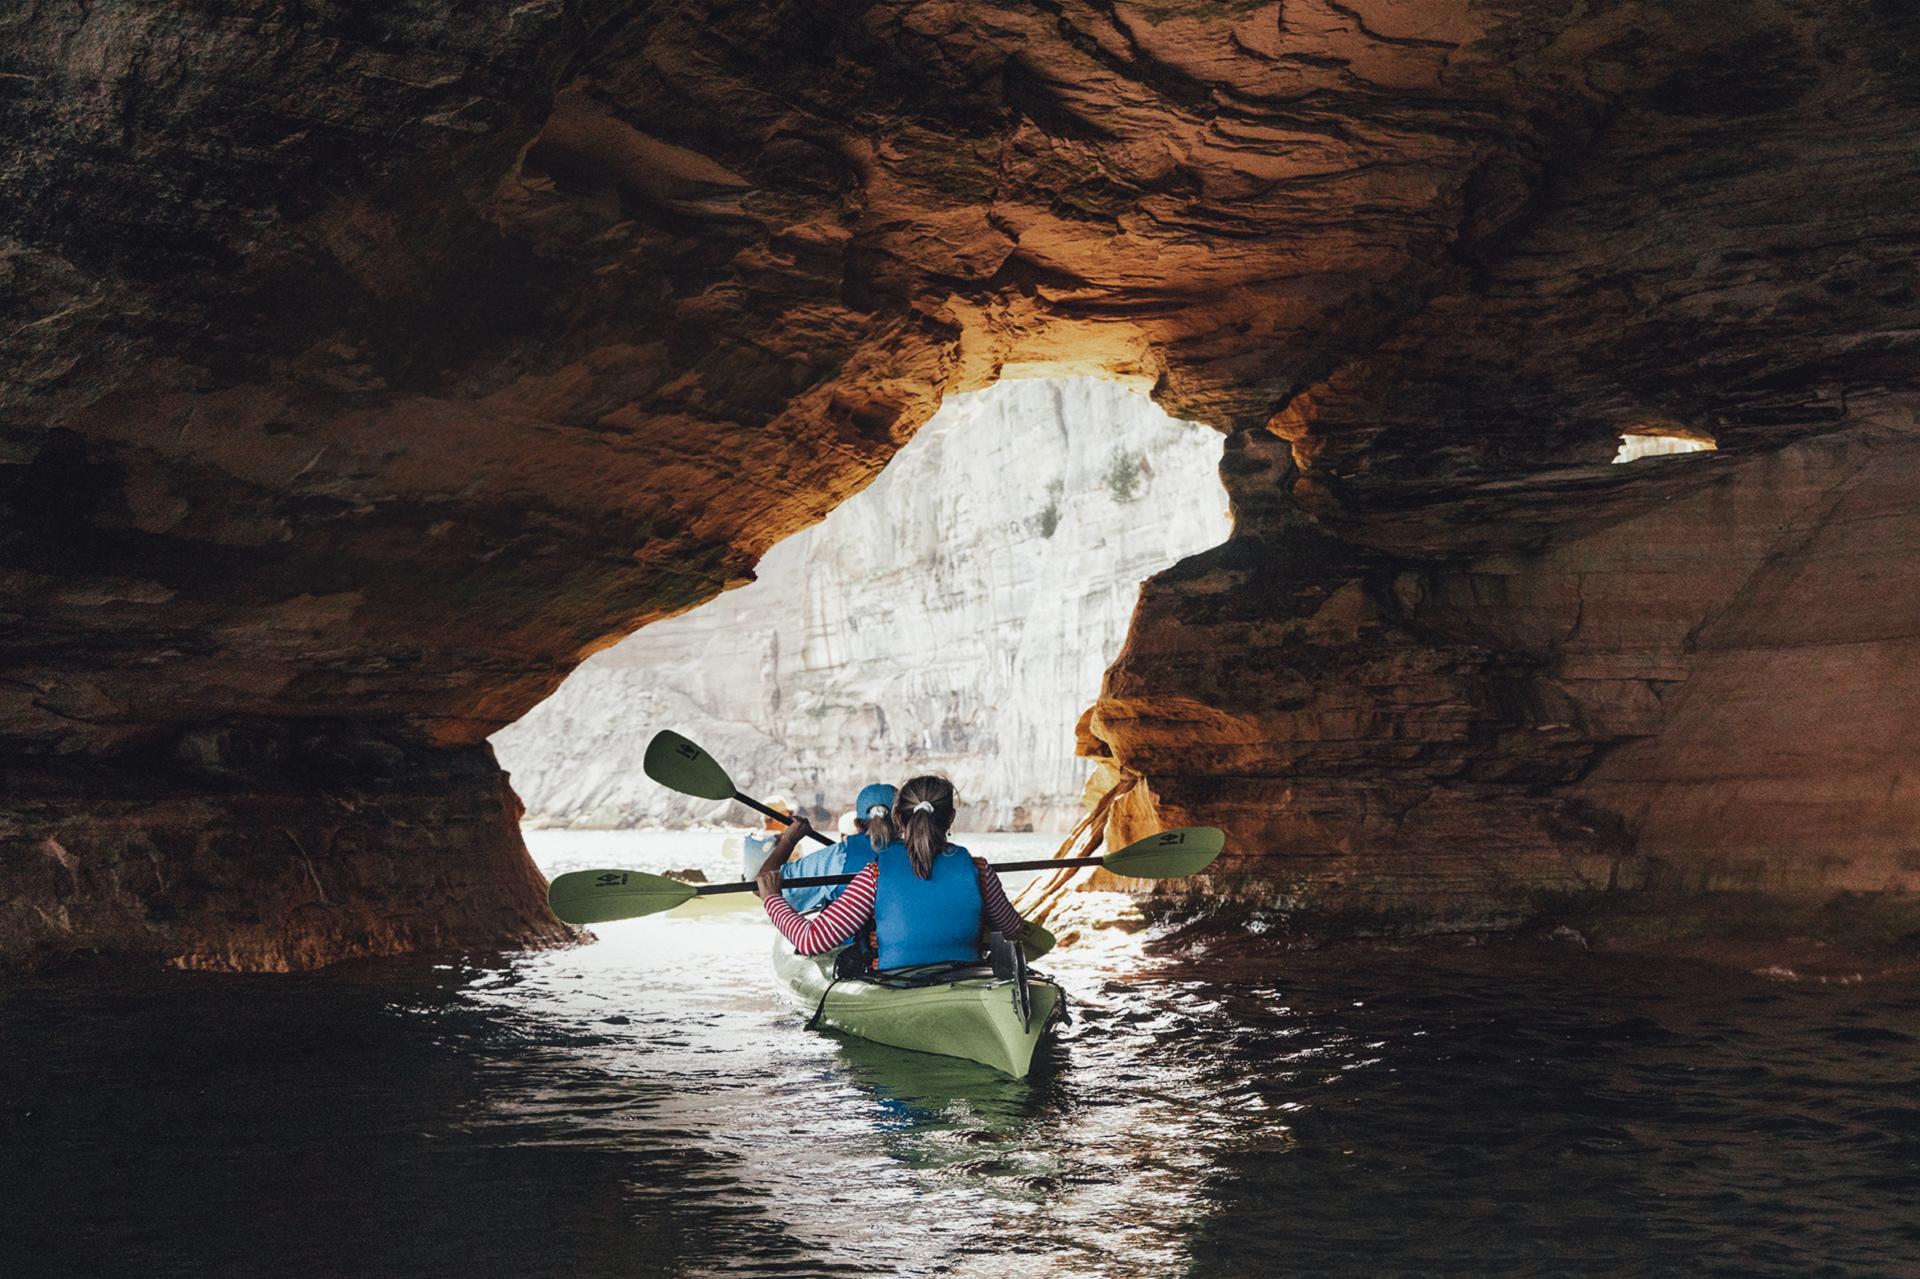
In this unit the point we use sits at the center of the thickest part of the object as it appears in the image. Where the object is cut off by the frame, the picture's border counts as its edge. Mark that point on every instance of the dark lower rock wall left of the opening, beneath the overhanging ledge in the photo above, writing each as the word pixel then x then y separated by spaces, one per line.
pixel 383 848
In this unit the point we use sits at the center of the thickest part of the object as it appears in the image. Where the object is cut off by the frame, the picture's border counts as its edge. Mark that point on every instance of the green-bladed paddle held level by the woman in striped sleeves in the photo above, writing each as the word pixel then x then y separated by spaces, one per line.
pixel 606 896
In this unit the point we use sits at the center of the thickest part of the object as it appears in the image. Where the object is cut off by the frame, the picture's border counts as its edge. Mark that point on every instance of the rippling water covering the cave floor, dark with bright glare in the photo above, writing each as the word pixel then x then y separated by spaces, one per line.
pixel 646 1107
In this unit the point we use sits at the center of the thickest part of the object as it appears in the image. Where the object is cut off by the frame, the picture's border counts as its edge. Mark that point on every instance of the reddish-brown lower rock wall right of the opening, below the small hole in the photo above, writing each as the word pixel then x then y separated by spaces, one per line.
pixel 1710 694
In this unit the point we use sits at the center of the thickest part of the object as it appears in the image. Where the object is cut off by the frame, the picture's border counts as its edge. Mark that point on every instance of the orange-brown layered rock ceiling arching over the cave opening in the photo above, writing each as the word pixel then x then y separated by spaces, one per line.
pixel 387 360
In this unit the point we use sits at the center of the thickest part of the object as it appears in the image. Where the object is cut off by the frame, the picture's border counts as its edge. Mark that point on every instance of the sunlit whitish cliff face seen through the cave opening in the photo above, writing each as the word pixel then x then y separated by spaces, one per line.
pixel 955 617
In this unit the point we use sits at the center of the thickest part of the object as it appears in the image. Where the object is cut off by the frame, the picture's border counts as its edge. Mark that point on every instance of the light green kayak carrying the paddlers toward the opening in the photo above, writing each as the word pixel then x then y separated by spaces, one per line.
pixel 971 1017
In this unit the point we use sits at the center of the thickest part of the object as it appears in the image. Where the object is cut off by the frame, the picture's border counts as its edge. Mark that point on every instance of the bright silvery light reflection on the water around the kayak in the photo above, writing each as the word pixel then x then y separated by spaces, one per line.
pixel 871 1157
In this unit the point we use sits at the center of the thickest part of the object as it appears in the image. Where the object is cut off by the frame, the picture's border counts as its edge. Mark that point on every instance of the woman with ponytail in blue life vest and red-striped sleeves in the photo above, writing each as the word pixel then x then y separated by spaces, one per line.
pixel 926 898
